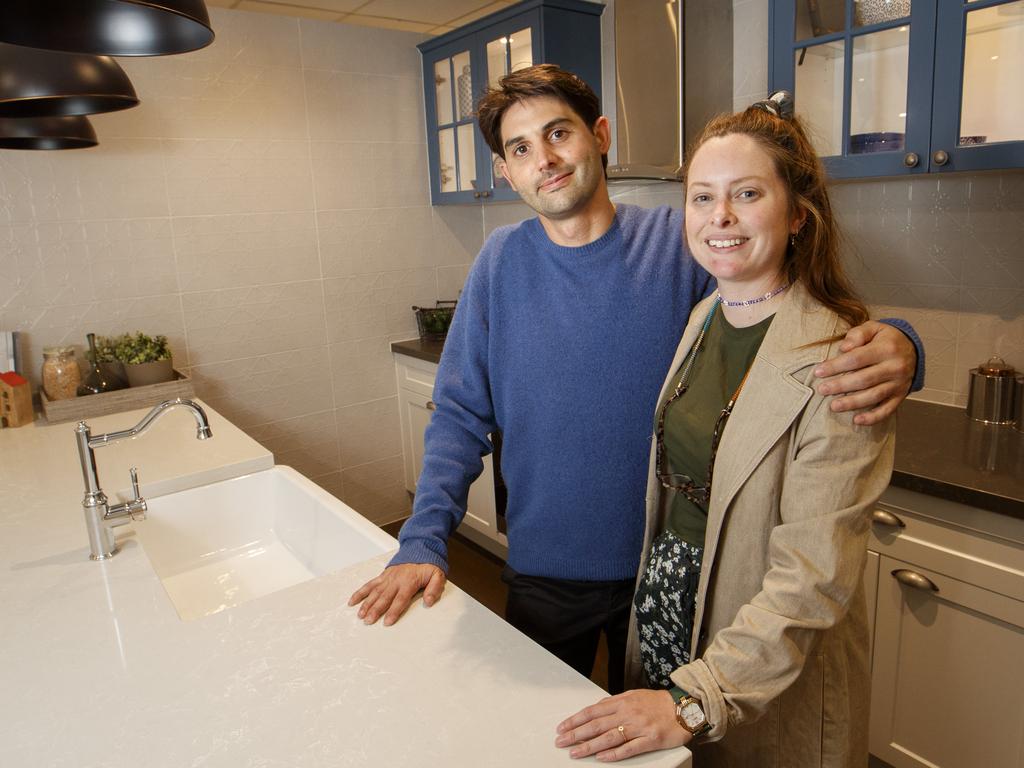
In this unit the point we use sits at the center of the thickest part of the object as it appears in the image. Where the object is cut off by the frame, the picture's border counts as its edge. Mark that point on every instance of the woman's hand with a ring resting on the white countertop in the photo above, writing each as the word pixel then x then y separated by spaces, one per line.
pixel 619 728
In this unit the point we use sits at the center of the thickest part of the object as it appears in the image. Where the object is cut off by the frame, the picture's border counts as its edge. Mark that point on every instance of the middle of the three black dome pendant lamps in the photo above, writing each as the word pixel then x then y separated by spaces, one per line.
pixel 47 83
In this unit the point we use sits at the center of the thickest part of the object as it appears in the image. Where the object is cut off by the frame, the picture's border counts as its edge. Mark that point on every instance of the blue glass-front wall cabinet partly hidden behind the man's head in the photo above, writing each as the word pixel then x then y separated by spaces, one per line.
pixel 460 66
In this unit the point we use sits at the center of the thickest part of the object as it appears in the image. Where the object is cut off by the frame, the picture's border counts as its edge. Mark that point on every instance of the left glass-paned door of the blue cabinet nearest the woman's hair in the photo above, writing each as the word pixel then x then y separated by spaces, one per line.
pixel 866 106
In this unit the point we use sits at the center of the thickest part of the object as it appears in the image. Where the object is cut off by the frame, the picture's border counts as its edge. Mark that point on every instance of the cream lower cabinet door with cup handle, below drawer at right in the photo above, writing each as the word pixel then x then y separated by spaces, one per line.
pixel 948 682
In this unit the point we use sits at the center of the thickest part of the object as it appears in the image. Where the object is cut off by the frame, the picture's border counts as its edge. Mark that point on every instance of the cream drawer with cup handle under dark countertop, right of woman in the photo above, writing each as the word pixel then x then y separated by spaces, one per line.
pixel 988 562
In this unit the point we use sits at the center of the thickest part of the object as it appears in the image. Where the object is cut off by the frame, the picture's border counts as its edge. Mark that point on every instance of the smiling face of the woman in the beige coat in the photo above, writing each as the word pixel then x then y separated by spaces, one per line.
pixel 738 214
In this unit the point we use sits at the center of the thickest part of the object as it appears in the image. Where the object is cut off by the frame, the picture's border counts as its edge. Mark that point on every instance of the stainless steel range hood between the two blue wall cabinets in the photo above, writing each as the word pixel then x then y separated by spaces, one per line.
pixel 673 73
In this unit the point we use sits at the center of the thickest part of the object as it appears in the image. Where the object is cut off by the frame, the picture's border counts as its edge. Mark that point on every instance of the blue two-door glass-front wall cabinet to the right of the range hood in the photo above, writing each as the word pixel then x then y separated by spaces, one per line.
pixel 905 87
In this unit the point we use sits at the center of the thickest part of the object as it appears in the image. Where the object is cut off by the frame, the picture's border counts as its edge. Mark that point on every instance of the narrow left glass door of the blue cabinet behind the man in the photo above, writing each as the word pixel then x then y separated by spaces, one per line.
pixel 456 141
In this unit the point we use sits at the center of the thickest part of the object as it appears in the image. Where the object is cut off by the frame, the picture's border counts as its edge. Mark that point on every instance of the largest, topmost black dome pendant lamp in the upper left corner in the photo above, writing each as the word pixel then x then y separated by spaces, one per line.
pixel 115 28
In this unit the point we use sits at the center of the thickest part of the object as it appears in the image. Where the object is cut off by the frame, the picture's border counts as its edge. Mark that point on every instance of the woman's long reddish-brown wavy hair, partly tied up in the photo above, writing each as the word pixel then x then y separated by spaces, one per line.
pixel 813 257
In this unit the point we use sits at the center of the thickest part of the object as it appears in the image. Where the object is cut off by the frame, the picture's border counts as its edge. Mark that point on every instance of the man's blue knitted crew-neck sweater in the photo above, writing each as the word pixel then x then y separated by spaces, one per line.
pixel 565 352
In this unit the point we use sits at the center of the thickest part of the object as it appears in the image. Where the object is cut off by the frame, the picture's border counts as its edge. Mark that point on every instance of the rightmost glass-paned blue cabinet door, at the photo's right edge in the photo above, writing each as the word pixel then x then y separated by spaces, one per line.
pixel 980 120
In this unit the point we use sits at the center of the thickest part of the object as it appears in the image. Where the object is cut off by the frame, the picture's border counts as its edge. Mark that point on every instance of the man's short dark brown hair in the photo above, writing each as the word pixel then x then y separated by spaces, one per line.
pixel 540 80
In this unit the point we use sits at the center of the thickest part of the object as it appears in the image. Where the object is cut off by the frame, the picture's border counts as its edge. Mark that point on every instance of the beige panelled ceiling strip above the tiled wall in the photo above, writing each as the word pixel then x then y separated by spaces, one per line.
pixel 428 17
